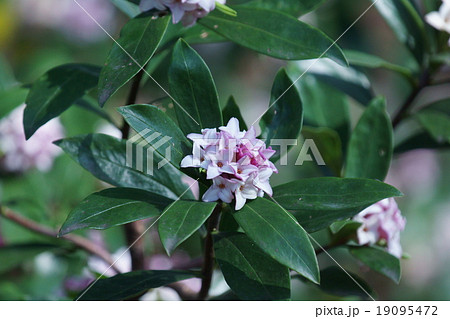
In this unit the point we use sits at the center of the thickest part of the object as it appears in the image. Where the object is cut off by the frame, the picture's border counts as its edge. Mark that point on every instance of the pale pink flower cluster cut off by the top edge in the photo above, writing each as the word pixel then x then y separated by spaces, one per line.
pixel 186 11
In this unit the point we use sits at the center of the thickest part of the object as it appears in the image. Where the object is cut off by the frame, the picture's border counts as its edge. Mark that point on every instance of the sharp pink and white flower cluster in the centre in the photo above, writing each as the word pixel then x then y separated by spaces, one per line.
pixel 237 163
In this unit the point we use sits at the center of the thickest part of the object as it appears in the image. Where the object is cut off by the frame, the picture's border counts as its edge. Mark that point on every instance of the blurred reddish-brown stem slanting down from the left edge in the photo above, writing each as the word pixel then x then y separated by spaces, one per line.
pixel 79 241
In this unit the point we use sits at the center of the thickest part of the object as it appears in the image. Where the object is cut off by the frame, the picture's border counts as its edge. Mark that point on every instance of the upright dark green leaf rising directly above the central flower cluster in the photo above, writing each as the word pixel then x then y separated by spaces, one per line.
pixel 193 89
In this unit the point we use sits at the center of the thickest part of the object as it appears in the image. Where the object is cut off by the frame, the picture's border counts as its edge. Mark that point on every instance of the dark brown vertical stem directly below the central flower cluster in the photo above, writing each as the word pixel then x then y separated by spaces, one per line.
pixel 208 262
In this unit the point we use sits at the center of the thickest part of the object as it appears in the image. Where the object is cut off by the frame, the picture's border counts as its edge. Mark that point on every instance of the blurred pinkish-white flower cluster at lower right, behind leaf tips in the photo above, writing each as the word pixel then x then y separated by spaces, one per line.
pixel 382 221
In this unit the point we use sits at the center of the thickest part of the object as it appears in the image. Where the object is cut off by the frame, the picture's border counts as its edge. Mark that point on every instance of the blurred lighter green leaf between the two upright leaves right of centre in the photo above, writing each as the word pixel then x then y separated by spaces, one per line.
pixel 330 110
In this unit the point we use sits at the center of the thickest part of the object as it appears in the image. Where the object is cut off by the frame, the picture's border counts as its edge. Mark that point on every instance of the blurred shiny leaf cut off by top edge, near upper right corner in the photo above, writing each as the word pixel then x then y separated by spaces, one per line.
pixel 406 23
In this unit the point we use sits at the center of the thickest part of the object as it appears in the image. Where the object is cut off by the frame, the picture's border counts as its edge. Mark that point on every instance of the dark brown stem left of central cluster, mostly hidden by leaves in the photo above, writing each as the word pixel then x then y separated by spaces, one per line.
pixel 133 230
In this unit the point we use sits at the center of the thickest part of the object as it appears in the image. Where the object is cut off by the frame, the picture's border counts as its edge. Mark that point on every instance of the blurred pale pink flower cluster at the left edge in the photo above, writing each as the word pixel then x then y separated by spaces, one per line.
pixel 17 154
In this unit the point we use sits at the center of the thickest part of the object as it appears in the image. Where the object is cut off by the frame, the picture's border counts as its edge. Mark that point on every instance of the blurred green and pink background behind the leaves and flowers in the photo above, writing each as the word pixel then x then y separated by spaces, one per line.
pixel 36 35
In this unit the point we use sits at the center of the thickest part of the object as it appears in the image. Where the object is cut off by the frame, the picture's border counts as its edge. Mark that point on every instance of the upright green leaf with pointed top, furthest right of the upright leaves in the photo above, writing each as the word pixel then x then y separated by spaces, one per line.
pixel 371 144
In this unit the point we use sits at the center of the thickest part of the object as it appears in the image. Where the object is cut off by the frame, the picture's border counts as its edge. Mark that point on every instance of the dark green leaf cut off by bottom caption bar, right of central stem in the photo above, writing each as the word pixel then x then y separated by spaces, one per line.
pixel 250 273
